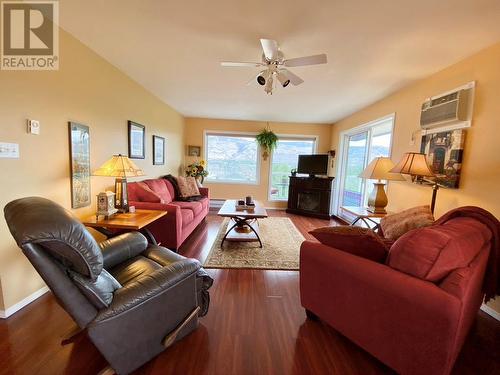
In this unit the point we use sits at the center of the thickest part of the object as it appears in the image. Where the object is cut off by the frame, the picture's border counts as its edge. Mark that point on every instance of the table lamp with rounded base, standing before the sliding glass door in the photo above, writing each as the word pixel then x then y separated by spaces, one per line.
pixel 378 169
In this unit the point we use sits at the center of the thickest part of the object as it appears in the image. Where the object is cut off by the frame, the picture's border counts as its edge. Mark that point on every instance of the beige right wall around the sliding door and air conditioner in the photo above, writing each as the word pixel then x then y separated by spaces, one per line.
pixel 480 179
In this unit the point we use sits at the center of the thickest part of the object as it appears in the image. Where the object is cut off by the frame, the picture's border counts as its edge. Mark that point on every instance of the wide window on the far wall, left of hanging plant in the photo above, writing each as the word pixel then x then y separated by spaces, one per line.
pixel 232 158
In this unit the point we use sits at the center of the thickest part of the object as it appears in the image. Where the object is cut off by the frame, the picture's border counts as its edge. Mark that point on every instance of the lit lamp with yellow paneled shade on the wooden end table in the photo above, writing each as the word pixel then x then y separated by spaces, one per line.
pixel 121 167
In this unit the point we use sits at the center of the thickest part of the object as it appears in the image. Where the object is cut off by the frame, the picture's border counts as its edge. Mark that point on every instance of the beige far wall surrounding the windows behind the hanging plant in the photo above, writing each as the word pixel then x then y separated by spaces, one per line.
pixel 194 133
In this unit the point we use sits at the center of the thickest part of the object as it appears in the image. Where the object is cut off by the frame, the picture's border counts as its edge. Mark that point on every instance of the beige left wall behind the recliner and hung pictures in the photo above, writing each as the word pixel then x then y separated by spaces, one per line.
pixel 86 89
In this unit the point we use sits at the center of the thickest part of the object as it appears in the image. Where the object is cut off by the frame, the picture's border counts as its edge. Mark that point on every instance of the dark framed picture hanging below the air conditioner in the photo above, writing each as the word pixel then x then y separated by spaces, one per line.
pixel 444 152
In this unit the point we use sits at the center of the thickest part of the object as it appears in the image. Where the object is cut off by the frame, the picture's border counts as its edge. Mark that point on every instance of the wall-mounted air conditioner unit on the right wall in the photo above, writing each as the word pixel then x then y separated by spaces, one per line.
pixel 451 108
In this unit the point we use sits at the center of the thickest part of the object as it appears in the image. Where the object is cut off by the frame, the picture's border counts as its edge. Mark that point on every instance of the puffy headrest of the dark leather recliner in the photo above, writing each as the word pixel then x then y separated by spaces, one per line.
pixel 41 221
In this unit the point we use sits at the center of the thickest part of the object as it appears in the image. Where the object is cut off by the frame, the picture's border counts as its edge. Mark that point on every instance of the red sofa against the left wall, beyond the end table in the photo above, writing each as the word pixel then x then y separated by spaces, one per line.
pixel 182 218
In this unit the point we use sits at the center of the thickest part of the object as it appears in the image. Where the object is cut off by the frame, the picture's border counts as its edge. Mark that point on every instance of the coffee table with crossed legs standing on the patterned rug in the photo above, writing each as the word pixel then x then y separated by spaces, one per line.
pixel 243 225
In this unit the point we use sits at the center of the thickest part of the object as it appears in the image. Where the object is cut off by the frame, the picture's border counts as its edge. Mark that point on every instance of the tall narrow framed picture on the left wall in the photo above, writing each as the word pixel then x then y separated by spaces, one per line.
pixel 79 148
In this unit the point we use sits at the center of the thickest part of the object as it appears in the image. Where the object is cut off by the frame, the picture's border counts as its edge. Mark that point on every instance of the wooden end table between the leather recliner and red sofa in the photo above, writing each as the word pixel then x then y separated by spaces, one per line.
pixel 130 221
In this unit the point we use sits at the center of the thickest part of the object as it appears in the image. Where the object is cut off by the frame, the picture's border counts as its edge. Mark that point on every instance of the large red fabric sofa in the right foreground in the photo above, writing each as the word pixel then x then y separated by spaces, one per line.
pixel 391 308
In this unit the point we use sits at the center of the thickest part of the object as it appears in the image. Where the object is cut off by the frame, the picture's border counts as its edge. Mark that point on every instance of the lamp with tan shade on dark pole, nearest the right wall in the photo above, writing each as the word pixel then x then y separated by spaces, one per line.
pixel 415 164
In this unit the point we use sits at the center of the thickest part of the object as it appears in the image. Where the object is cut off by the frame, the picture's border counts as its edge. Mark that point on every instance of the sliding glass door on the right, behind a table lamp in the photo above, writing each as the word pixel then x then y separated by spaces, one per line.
pixel 359 147
